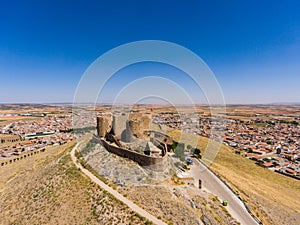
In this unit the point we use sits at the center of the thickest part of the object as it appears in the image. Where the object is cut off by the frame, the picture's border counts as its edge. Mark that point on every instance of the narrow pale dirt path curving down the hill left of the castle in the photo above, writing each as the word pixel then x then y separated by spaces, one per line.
pixel 116 194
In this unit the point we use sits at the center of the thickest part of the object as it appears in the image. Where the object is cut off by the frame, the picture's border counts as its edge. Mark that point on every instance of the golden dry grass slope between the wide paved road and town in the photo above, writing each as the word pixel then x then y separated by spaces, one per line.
pixel 273 197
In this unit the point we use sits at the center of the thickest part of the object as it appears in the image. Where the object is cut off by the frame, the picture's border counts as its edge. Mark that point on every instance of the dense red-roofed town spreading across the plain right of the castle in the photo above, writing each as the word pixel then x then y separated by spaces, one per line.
pixel 272 144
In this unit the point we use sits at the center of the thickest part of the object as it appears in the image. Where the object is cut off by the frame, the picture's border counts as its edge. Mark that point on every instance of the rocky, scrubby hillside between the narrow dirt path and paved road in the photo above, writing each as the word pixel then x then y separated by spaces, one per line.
pixel 157 193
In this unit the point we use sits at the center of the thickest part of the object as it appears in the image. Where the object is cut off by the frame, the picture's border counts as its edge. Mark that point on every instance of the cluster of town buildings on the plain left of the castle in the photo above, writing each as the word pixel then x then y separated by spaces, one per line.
pixel 23 136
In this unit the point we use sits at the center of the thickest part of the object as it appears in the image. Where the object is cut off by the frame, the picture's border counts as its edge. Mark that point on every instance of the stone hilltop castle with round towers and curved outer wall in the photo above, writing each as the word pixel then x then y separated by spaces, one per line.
pixel 129 135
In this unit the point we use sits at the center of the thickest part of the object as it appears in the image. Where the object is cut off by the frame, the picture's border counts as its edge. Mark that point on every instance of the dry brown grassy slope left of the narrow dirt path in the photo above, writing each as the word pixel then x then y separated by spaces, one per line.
pixel 48 189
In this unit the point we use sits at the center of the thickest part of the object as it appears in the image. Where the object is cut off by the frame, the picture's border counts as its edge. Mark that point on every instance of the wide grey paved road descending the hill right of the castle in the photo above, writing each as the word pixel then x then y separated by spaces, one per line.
pixel 214 185
